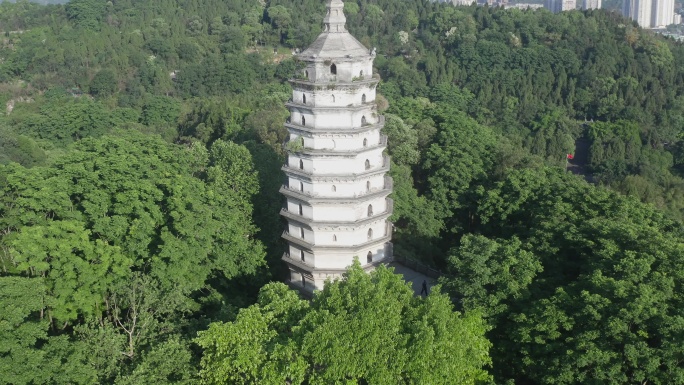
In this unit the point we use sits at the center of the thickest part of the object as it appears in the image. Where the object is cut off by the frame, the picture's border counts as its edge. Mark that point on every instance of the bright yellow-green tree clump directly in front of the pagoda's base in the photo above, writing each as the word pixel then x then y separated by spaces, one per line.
pixel 365 328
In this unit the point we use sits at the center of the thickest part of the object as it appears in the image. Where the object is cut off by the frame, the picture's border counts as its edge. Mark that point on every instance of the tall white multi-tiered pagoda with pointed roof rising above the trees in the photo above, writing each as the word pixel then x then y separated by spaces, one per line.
pixel 336 184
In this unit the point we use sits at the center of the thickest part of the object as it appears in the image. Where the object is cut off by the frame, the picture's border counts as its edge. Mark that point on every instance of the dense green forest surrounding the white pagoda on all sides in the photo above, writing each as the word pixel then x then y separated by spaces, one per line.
pixel 140 152
